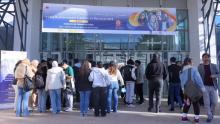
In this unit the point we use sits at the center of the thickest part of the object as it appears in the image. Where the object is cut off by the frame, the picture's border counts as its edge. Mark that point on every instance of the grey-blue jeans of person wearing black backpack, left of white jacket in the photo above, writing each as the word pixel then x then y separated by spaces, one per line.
pixel 42 96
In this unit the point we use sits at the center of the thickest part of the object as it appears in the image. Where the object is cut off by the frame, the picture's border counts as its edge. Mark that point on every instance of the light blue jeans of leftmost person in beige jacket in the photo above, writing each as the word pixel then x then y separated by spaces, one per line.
pixel 22 104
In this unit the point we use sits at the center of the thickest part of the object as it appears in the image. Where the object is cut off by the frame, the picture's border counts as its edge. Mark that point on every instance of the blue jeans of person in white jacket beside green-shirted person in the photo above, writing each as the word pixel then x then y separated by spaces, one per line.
pixel 55 99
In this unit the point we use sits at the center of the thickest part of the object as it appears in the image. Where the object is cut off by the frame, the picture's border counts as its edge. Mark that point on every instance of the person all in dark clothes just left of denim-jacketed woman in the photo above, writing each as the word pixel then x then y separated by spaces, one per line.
pixel 174 83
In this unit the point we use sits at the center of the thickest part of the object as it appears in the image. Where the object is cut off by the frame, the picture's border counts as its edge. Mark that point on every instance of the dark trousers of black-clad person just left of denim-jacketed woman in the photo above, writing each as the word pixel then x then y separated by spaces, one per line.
pixel 174 92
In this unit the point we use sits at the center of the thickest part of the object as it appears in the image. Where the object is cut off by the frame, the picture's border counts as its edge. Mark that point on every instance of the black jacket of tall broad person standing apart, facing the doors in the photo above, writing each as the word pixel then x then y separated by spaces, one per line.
pixel 155 70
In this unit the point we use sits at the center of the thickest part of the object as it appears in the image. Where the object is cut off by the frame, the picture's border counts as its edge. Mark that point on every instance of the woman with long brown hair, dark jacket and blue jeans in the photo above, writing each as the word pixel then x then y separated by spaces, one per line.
pixel 84 87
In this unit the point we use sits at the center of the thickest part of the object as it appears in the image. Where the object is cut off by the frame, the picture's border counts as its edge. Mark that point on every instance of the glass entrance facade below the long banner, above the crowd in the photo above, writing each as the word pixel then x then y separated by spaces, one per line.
pixel 118 47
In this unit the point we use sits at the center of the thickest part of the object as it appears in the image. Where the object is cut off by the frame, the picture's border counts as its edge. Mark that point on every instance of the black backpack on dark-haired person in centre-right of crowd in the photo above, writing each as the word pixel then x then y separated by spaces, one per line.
pixel 126 73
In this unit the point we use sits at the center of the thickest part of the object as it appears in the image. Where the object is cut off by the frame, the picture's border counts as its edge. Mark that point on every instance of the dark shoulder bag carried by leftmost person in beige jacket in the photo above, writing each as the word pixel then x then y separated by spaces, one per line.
pixel 28 84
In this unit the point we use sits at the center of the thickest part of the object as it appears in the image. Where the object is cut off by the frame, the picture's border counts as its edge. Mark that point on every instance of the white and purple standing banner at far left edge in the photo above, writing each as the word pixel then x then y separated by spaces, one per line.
pixel 8 59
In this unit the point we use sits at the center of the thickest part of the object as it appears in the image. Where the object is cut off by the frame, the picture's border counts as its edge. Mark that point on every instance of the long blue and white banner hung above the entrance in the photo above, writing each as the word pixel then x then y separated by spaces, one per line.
pixel 67 18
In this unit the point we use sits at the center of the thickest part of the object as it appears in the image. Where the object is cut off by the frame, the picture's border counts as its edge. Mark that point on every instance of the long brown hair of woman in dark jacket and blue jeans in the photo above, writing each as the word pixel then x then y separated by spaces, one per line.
pixel 85 68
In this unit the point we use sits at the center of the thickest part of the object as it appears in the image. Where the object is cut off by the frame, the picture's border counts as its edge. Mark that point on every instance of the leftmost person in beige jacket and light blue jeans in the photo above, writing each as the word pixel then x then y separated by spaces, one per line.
pixel 23 69
